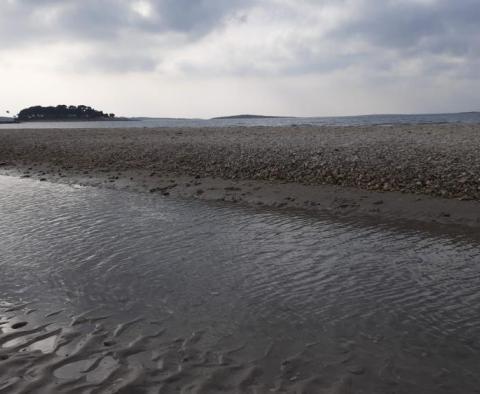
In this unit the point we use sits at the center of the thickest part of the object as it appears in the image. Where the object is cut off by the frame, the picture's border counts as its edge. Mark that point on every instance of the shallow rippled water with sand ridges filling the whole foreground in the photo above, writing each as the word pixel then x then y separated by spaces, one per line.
pixel 159 295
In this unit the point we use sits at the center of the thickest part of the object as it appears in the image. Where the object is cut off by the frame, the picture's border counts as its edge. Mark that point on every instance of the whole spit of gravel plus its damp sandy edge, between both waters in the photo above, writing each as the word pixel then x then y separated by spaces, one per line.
pixel 421 173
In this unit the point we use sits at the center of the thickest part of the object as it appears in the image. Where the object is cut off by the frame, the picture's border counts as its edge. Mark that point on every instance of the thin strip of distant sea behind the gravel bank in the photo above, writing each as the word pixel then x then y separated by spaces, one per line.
pixel 467 117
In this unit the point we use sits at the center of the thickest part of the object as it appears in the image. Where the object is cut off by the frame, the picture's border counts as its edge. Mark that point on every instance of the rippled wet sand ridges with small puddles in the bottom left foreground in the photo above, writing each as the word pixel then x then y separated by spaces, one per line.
pixel 85 356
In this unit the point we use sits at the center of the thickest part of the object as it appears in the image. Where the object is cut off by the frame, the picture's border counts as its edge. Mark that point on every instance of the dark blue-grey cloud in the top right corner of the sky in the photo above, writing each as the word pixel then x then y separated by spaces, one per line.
pixel 441 26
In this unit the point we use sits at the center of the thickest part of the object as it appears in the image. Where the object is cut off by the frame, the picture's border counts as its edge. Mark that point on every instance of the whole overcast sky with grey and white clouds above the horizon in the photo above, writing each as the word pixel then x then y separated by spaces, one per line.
pixel 205 58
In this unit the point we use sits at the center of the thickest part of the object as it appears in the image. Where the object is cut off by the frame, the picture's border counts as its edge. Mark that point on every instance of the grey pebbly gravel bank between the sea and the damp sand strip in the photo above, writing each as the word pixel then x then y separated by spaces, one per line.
pixel 437 160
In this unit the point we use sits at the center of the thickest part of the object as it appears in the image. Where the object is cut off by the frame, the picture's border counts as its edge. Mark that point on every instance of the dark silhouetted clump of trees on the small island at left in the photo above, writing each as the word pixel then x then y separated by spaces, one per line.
pixel 62 112
